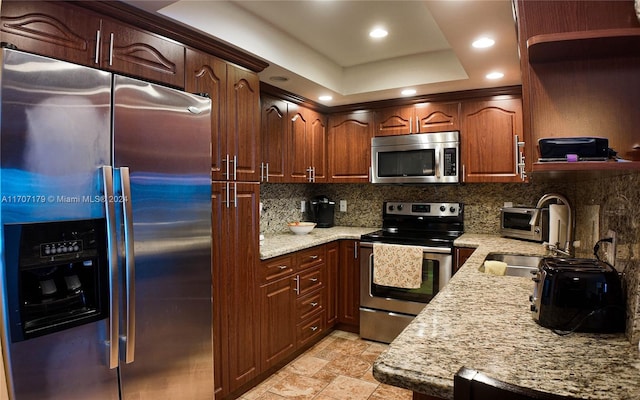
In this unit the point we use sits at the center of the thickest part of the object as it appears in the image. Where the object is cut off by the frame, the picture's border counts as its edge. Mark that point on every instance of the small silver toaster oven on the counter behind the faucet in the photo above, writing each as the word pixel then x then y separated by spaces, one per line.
pixel 515 222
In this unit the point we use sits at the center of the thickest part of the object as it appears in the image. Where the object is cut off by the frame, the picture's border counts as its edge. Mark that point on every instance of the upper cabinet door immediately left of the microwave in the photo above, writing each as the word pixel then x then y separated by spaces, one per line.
pixel 349 146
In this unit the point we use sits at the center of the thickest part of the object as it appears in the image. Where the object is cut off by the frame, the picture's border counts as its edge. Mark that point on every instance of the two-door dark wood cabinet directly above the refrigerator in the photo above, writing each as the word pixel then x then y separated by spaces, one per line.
pixel 63 31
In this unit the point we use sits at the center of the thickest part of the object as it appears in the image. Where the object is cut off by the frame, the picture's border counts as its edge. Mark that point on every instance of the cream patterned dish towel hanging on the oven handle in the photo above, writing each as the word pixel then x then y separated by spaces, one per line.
pixel 397 265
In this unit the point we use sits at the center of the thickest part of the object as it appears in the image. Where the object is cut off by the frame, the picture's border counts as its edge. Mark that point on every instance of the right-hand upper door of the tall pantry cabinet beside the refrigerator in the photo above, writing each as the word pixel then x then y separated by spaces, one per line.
pixel 243 123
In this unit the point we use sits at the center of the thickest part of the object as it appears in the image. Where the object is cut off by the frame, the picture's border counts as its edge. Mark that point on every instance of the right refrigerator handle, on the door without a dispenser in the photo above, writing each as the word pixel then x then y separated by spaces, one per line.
pixel 129 265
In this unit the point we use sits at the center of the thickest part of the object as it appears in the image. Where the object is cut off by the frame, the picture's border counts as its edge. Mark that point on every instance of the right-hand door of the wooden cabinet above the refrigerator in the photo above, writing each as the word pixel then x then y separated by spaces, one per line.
pixel 135 52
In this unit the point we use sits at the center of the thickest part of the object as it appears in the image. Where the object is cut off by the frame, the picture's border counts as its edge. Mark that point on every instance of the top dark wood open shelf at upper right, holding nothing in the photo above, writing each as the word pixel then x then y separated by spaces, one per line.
pixel 584 44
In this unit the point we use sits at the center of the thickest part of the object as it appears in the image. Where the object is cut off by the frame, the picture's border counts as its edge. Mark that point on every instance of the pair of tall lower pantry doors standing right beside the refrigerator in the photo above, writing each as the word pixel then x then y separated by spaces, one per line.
pixel 235 262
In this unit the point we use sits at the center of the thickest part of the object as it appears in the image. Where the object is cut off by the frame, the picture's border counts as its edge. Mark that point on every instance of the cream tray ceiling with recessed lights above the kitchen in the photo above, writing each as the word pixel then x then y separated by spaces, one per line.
pixel 322 47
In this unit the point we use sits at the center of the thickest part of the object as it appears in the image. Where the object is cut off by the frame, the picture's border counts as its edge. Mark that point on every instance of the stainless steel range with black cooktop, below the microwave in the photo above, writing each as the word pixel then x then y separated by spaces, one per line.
pixel 386 310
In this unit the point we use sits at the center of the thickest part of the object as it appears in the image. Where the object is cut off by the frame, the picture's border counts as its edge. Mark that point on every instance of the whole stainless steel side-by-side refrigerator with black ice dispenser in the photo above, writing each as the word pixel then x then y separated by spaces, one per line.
pixel 105 216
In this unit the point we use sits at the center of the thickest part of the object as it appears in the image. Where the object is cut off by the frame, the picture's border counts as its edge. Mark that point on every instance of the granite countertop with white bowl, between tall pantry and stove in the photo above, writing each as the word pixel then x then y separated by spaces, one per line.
pixel 278 244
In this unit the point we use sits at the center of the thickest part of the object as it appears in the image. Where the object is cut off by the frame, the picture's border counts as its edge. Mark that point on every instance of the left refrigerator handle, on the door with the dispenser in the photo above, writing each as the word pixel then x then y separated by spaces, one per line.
pixel 112 341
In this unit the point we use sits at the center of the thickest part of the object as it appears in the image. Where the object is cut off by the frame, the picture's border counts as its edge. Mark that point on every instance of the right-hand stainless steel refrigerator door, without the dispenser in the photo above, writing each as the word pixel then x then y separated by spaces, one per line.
pixel 163 137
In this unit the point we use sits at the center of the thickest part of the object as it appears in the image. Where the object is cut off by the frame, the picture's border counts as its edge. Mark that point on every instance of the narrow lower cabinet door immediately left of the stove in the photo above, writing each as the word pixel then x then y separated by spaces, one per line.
pixel 349 286
